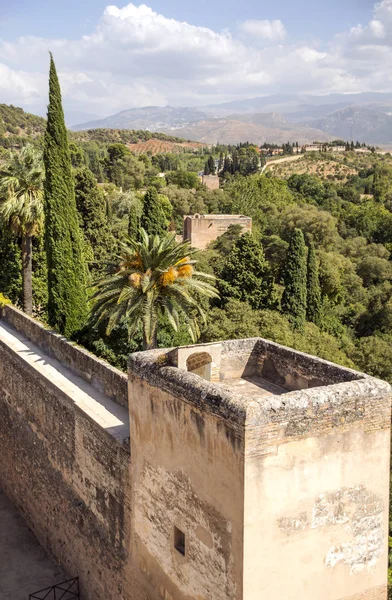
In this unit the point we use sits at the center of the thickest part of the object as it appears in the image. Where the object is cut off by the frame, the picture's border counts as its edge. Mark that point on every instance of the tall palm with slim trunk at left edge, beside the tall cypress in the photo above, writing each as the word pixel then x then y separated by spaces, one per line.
pixel 22 208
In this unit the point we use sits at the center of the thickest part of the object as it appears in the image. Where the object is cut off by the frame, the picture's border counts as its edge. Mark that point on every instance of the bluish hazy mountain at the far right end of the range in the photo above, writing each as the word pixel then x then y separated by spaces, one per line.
pixel 358 123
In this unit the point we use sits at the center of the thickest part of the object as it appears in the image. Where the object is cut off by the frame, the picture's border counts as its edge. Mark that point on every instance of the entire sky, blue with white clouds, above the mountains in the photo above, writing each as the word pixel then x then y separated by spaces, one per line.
pixel 111 57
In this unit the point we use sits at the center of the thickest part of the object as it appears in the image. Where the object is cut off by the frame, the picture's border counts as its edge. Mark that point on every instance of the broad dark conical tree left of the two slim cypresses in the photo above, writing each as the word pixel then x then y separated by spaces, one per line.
pixel 246 276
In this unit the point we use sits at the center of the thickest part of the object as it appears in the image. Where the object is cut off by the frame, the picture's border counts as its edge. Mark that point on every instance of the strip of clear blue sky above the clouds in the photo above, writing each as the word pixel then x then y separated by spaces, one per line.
pixel 72 18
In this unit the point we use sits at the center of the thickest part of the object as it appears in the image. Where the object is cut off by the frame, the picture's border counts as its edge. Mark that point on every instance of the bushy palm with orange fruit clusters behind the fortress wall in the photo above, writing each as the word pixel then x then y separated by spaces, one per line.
pixel 153 277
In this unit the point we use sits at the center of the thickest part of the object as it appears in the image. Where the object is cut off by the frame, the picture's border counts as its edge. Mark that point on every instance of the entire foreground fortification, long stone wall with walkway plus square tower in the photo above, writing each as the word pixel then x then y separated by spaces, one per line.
pixel 252 471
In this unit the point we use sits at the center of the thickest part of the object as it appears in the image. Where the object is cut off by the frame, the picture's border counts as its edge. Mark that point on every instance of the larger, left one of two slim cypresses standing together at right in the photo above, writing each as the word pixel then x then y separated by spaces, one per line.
pixel 294 295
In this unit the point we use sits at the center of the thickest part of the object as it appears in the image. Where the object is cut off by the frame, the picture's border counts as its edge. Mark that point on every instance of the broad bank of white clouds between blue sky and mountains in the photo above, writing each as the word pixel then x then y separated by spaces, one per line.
pixel 135 56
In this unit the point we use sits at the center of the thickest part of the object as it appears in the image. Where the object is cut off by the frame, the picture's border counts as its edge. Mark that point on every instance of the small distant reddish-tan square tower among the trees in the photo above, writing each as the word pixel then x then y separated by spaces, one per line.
pixel 200 230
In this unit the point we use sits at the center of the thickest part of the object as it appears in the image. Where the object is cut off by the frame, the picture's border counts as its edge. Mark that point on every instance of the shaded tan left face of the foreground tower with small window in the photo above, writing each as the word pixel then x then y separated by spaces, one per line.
pixel 188 472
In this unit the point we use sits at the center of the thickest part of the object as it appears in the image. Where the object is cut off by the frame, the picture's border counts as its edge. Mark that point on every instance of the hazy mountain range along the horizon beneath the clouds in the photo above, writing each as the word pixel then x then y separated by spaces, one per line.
pixel 365 117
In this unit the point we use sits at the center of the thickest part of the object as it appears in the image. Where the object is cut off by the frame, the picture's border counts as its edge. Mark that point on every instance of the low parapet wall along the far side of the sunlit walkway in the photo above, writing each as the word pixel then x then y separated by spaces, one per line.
pixel 101 375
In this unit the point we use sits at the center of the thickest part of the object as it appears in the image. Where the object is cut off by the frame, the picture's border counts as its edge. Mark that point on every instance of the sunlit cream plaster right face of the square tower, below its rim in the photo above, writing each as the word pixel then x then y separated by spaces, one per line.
pixel 315 507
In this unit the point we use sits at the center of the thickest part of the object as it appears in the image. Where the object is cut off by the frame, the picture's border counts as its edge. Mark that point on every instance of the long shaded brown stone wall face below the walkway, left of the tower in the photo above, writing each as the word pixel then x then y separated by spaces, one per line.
pixel 71 481
